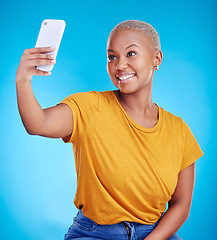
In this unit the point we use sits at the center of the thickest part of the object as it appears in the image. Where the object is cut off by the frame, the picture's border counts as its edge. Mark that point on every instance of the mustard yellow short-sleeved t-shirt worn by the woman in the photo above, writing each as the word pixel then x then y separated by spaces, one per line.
pixel 125 172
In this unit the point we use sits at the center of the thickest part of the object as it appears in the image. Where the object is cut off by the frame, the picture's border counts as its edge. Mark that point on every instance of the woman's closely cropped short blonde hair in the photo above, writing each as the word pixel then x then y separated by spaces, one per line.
pixel 146 28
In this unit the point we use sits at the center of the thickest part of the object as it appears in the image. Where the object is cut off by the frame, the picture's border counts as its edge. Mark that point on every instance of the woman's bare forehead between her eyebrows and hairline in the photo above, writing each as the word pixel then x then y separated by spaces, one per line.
pixel 125 37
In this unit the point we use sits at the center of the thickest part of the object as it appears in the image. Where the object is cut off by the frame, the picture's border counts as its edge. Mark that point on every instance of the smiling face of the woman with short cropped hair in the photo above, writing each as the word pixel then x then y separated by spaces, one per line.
pixel 131 60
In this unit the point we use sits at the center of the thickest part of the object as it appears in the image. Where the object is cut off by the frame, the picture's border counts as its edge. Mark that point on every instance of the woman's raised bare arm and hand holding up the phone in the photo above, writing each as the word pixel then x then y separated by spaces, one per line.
pixel 54 122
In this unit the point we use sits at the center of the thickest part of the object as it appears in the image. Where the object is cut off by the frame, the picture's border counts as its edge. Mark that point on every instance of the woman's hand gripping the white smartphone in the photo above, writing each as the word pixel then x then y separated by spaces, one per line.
pixel 30 59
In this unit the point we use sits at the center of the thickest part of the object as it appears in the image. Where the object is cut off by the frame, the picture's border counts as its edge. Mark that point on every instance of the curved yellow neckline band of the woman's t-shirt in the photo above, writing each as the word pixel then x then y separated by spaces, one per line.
pixel 135 124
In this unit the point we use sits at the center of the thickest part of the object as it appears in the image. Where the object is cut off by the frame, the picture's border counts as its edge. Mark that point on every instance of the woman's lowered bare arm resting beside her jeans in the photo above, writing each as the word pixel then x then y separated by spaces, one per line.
pixel 179 206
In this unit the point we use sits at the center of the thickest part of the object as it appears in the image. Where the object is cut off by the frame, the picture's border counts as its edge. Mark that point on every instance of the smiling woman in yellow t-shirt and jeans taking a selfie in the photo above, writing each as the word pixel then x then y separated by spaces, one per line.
pixel 132 157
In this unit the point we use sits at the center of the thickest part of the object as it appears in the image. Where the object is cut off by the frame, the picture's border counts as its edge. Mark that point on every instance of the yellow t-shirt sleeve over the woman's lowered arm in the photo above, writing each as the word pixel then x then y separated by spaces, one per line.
pixel 192 150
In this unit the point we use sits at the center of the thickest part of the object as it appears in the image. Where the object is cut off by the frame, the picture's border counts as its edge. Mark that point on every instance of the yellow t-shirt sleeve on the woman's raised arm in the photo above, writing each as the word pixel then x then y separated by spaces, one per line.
pixel 82 106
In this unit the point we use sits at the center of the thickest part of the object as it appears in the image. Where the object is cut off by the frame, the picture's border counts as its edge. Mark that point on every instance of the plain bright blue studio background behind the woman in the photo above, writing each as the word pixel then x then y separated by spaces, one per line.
pixel 37 175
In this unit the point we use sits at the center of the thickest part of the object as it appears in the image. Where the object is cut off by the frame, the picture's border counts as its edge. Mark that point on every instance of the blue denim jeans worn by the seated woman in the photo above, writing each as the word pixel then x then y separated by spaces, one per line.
pixel 84 228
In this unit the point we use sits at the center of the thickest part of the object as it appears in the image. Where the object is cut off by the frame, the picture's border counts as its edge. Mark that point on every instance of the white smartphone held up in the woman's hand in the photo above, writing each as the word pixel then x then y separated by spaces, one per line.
pixel 50 35
